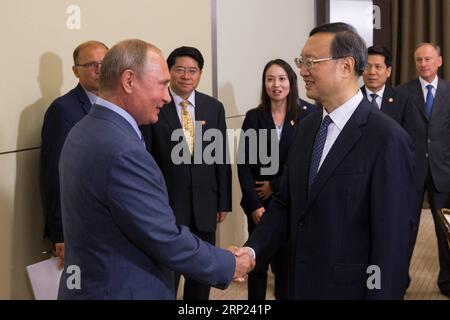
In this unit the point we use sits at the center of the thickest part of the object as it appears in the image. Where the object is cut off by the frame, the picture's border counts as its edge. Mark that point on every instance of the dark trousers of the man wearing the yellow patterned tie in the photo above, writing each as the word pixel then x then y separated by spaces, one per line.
pixel 194 290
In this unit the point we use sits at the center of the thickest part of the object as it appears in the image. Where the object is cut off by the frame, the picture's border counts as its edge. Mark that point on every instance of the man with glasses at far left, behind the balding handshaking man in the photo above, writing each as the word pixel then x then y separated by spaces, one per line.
pixel 60 117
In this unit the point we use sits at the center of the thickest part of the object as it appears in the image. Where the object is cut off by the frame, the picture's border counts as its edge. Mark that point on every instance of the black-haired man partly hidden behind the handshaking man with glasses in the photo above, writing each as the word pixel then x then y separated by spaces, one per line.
pixel 380 94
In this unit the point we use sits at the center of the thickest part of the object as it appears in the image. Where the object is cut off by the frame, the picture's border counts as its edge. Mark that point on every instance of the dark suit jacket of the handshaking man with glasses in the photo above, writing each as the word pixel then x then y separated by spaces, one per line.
pixel 341 226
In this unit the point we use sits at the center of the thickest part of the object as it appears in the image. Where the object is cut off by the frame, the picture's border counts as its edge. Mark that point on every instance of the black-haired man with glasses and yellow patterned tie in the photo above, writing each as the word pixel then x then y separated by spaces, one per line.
pixel 199 193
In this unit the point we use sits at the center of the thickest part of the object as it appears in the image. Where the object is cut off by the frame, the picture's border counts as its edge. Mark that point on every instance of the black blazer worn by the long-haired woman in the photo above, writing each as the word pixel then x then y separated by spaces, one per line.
pixel 248 173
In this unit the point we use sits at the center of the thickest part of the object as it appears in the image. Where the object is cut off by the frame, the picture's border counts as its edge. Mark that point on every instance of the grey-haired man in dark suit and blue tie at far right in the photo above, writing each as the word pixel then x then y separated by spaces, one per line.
pixel 430 96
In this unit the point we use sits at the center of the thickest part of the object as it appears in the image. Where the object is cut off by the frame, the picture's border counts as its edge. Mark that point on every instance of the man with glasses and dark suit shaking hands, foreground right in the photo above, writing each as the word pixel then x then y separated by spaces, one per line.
pixel 348 189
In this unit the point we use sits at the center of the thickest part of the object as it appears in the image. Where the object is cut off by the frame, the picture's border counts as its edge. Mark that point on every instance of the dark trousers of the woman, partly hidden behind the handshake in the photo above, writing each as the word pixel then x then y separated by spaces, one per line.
pixel 257 279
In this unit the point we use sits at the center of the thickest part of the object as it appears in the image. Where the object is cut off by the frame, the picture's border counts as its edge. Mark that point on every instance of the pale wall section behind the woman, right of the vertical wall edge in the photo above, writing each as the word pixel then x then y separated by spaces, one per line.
pixel 249 34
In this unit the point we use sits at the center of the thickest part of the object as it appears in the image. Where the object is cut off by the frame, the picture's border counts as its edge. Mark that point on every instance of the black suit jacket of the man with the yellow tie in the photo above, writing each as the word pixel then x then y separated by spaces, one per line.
pixel 201 189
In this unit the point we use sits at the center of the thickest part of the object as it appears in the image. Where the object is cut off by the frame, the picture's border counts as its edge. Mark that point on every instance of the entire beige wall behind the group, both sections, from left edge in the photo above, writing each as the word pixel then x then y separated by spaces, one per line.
pixel 36 67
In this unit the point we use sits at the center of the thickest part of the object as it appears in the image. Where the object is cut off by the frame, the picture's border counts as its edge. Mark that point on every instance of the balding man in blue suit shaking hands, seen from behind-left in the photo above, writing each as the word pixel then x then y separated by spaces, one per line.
pixel 121 239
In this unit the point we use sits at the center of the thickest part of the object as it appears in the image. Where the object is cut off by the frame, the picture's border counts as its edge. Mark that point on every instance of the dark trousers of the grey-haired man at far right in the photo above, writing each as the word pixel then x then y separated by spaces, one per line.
pixel 437 200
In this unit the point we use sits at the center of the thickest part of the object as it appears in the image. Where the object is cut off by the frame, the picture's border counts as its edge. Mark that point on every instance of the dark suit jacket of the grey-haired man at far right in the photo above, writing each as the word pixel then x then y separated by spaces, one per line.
pixel 431 135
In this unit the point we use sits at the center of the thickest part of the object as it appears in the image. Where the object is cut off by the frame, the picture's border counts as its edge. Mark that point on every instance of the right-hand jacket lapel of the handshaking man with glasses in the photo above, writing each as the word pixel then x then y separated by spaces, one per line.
pixel 350 134
